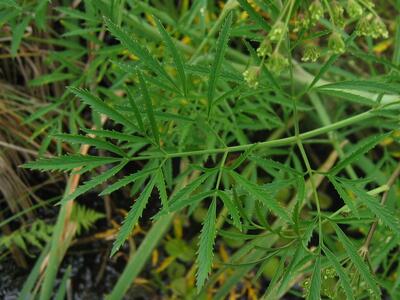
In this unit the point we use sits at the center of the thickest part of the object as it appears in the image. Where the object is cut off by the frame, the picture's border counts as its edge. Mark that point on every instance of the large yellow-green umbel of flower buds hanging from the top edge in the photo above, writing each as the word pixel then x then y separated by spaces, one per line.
pixel 304 22
